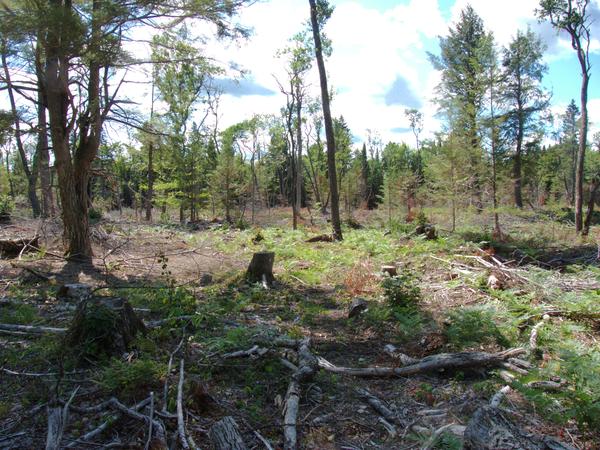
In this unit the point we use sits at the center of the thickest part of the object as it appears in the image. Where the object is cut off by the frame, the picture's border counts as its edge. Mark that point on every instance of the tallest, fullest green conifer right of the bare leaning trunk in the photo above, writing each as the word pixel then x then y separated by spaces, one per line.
pixel 461 92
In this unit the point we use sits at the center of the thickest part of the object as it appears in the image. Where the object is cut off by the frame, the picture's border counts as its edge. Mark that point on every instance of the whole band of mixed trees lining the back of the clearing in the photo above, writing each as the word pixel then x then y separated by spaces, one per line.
pixel 64 71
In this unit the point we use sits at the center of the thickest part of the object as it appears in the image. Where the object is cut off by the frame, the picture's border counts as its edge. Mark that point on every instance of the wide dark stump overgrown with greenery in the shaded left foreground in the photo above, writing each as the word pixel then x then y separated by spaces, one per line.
pixel 103 326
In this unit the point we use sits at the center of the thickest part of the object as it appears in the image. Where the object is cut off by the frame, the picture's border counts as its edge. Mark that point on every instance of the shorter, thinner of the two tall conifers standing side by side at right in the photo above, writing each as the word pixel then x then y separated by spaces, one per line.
pixel 524 96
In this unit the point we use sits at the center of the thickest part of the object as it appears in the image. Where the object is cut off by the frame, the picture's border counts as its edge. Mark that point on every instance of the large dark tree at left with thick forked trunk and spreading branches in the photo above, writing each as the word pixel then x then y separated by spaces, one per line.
pixel 83 44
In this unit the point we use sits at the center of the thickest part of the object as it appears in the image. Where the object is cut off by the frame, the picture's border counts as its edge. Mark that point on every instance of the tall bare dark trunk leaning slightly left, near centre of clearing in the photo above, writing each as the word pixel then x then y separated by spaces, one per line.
pixel 335 202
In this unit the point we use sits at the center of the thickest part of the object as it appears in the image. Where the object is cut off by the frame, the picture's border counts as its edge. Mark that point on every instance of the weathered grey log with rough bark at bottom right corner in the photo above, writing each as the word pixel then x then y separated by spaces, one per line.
pixel 491 429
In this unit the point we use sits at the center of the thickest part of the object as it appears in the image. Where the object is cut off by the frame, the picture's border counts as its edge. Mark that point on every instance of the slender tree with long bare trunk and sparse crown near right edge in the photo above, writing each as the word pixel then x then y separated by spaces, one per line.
pixel 574 17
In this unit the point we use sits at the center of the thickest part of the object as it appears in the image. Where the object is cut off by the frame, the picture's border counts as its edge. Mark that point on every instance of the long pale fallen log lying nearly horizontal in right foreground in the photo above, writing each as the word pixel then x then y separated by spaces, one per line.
pixel 442 361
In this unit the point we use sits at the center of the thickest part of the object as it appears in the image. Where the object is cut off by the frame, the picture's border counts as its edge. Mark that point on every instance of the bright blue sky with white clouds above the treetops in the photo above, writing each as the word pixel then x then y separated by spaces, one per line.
pixel 379 65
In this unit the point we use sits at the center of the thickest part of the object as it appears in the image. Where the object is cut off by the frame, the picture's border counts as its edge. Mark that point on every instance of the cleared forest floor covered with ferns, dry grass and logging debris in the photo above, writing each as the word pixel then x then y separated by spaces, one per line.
pixel 442 301
